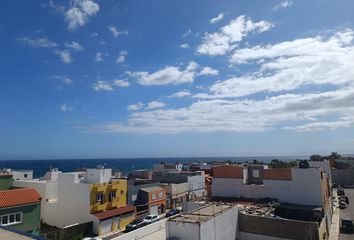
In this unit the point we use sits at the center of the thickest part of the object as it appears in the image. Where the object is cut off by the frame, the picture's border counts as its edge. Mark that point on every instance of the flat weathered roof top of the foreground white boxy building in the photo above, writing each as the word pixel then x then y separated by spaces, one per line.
pixel 202 214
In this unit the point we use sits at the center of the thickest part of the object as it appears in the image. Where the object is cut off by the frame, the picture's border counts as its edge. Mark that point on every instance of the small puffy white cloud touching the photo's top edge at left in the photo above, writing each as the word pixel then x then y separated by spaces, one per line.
pixel 80 12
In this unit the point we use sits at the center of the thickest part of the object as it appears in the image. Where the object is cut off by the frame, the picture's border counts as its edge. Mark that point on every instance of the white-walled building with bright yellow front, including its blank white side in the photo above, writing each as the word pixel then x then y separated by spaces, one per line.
pixel 81 197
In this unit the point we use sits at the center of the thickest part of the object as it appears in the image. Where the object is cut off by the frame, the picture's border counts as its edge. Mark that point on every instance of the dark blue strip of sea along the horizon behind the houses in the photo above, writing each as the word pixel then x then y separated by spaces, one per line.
pixel 125 165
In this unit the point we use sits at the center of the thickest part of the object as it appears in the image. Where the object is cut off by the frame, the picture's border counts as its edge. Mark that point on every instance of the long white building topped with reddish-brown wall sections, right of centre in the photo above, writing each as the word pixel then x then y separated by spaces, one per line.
pixel 307 186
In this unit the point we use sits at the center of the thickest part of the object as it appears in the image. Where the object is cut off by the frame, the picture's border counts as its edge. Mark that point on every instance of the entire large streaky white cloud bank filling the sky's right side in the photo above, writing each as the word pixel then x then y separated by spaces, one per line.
pixel 320 67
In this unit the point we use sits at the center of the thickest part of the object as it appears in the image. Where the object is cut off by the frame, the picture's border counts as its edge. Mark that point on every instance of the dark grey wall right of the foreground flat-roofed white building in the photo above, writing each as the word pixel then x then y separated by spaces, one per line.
pixel 279 228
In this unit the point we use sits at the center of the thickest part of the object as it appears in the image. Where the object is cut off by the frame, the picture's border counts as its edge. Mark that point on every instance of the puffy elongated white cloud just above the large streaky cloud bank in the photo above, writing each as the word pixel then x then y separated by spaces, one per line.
pixel 225 39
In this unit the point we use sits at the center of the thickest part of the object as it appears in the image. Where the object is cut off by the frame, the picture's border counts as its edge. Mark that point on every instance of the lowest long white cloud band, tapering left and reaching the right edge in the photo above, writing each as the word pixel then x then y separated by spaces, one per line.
pixel 236 115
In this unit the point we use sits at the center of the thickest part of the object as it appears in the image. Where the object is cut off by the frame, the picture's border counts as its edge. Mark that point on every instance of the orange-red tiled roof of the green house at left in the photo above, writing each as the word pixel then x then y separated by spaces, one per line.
pixel 16 197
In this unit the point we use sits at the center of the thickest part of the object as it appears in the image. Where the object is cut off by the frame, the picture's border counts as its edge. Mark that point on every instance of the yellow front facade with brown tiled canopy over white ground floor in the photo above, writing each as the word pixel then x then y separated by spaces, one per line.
pixel 108 203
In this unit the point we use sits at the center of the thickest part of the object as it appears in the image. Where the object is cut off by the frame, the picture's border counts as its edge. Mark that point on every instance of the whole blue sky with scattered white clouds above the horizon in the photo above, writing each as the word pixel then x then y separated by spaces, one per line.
pixel 92 79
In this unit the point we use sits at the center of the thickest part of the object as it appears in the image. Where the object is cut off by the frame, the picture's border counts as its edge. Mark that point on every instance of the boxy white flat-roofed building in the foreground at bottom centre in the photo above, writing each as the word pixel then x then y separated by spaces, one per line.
pixel 210 222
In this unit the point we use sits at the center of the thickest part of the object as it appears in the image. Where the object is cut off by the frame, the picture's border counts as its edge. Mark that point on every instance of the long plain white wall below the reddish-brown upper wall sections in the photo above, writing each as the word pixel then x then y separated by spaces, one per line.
pixel 304 188
